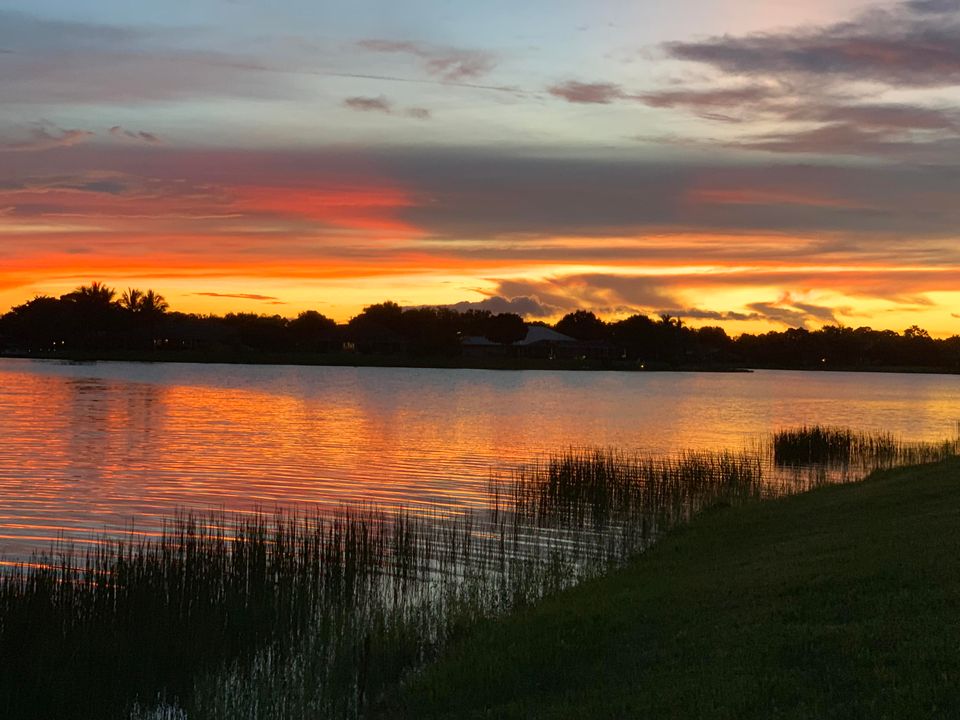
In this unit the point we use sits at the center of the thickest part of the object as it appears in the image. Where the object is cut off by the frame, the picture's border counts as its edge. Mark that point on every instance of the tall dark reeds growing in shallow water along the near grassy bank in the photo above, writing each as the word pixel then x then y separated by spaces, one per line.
pixel 307 615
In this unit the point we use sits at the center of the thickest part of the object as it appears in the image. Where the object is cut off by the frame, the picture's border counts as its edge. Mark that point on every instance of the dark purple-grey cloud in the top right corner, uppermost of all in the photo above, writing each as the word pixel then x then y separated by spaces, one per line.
pixel 916 44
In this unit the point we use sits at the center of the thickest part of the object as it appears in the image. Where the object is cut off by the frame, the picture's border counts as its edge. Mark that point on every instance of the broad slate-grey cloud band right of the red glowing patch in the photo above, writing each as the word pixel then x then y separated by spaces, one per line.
pixel 491 194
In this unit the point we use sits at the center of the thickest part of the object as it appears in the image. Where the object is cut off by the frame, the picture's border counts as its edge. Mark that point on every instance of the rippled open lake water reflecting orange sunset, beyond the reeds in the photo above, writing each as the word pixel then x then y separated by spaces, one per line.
pixel 95 446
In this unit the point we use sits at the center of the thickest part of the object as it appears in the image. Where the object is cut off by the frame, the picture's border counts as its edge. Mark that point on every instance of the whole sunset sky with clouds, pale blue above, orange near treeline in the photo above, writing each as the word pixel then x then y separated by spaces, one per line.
pixel 750 165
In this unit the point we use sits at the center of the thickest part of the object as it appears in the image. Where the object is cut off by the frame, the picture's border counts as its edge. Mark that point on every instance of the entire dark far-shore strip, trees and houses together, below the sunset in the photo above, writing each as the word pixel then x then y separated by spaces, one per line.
pixel 95 322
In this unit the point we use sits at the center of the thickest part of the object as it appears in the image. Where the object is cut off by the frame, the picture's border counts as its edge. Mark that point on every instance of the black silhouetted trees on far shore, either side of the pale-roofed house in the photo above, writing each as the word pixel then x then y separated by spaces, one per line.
pixel 92 319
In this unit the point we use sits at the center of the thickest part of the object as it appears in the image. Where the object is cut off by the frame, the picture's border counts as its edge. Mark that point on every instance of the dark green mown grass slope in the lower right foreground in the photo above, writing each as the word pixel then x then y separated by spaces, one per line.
pixel 839 603
